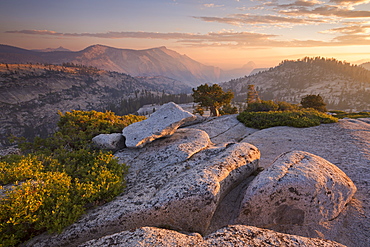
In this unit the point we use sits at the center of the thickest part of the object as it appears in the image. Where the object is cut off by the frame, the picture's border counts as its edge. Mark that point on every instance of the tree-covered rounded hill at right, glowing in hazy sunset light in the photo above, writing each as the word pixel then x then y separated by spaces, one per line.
pixel 343 86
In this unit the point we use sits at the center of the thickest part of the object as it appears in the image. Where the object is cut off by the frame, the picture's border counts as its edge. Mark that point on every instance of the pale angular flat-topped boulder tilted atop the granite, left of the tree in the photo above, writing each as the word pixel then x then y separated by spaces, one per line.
pixel 161 123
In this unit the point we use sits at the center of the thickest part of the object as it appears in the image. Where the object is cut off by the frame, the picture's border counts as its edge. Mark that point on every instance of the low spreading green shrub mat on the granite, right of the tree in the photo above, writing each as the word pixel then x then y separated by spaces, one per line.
pixel 300 119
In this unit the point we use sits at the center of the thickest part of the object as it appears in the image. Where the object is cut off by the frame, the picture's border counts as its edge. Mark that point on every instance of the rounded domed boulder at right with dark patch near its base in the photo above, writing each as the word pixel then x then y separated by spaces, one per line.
pixel 299 188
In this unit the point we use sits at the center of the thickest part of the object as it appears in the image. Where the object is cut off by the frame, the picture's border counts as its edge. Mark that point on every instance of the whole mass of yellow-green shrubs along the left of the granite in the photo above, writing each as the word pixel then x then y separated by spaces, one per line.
pixel 60 177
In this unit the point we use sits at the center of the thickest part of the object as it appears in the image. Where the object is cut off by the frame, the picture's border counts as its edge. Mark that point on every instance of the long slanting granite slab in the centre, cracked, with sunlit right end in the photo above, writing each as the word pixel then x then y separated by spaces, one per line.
pixel 176 182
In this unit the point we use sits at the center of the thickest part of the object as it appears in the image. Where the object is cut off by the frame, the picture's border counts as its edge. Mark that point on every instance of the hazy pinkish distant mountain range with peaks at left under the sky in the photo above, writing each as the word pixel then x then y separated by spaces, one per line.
pixel 150 62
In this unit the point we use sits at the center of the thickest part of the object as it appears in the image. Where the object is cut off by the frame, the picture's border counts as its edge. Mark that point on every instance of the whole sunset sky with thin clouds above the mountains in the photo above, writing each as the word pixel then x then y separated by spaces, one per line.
pixel 223 33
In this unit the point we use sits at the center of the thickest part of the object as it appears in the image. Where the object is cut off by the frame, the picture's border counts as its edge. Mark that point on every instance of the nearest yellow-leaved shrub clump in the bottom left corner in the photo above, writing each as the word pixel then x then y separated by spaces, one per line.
pixel 36 205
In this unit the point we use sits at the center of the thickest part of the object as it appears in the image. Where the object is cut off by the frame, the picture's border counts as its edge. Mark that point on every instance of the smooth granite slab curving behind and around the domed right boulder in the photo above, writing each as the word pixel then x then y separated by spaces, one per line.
pixel 345 144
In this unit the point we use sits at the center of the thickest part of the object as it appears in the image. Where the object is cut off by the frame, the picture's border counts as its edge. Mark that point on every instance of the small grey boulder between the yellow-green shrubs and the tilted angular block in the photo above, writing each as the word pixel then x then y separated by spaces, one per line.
pixel 111 142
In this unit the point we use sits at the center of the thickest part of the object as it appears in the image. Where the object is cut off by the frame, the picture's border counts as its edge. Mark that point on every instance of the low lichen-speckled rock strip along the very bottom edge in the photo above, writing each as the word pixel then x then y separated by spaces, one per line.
pixel 237 235
